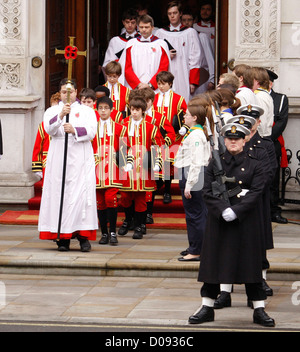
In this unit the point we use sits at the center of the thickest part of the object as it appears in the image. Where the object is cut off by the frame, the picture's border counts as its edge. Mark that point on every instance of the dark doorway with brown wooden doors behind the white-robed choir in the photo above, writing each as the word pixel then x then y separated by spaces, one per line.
pixel 94 23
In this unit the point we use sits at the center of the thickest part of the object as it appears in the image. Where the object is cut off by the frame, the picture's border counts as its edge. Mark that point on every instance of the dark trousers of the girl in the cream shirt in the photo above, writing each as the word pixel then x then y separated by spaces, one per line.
pixel 195 216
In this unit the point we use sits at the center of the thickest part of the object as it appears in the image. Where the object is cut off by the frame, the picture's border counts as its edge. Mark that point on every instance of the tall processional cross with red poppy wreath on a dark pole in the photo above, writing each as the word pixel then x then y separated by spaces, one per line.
pixel 71 53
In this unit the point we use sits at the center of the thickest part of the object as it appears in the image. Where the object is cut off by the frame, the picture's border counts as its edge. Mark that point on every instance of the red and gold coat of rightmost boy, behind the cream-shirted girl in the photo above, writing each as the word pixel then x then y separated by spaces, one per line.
pixel 176 108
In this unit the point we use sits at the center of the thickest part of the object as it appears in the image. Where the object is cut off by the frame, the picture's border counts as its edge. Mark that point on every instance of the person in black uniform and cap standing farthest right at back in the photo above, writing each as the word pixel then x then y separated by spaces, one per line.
pixel 281 114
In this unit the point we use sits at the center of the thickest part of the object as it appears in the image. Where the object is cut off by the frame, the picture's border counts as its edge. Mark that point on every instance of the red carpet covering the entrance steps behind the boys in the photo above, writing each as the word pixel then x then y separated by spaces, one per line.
pixel 168 216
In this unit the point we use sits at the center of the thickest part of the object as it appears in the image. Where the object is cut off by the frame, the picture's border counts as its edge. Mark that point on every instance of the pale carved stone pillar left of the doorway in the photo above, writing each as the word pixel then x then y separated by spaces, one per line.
pixel 22 38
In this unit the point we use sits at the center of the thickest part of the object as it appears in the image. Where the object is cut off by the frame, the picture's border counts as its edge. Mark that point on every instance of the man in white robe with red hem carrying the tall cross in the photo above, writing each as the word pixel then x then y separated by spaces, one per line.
pixel 79 216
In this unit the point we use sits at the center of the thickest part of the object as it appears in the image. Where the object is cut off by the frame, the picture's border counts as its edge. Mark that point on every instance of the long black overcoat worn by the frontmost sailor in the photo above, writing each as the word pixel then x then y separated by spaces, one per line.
pixel 232 251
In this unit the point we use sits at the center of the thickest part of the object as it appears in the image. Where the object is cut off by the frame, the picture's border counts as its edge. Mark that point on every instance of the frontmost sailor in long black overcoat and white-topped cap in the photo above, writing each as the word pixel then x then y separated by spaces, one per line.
pixel 233 242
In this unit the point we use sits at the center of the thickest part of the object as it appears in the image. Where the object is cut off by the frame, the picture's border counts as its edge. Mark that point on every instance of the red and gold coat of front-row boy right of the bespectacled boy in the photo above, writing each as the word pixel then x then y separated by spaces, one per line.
pixel 143 152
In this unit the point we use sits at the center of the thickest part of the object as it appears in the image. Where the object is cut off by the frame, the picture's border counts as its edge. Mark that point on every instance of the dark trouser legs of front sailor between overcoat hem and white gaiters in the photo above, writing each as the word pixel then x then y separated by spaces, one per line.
pixel 255 291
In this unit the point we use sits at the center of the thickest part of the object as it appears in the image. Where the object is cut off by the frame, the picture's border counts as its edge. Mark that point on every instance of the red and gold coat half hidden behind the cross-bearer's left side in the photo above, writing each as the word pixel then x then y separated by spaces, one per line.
pixel 40 150
